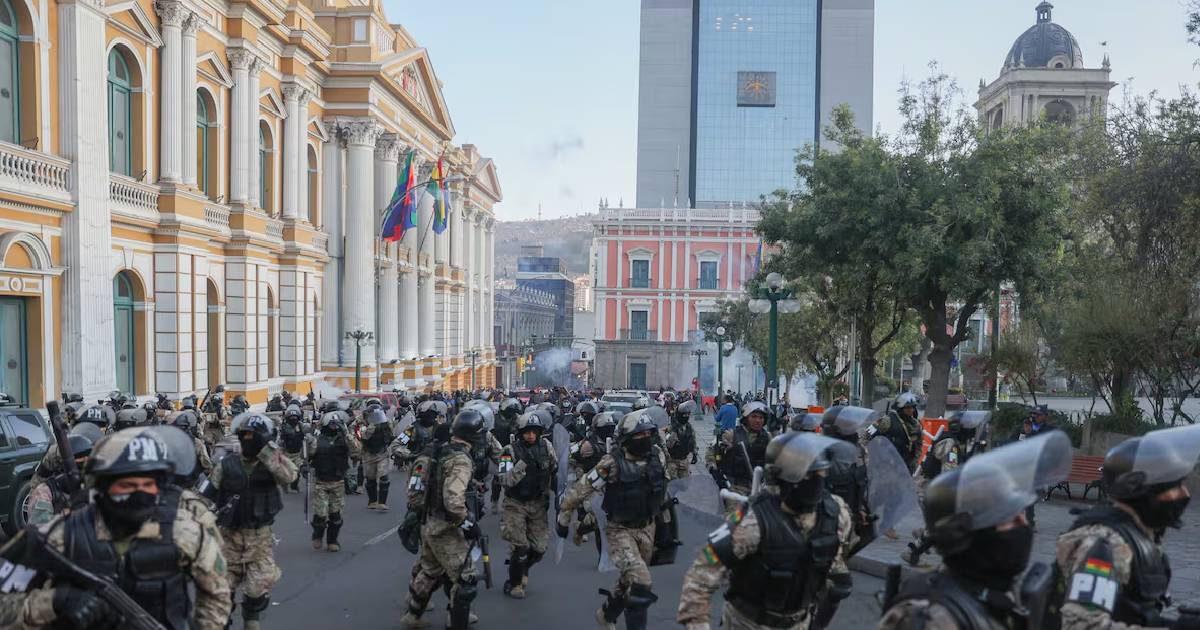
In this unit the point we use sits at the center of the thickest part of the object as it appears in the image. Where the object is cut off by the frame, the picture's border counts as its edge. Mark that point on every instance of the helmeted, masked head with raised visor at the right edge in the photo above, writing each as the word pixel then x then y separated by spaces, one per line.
pixel 1139 471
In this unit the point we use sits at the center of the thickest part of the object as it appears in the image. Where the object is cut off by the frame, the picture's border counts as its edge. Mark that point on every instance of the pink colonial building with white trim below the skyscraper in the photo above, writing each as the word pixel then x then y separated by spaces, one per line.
pixel 656 273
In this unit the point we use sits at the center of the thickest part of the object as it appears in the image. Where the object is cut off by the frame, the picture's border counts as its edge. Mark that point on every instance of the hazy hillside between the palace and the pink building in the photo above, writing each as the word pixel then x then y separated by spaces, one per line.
pixel 568 238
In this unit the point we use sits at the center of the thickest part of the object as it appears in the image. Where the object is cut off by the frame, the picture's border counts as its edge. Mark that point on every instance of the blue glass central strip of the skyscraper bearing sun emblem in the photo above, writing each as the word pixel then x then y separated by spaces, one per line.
pixel 755 83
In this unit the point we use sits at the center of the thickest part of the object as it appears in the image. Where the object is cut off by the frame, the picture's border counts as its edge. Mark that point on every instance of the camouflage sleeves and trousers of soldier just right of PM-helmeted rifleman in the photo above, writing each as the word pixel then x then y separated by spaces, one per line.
pixel 249 551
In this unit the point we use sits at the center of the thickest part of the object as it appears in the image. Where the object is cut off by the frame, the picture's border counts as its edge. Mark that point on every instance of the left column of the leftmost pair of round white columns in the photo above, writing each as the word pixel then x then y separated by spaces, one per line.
pixel 172 16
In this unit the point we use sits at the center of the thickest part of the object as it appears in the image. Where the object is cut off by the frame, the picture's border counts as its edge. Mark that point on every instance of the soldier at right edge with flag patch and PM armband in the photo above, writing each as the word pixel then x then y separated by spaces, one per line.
pixel 1117 571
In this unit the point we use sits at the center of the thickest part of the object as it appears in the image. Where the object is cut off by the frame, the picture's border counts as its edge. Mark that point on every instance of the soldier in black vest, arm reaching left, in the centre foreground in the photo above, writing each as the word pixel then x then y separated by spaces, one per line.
pixel 634 482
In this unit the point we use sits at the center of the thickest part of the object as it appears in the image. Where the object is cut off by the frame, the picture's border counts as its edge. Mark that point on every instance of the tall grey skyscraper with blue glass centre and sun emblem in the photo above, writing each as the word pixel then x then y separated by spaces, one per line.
pixel 729 92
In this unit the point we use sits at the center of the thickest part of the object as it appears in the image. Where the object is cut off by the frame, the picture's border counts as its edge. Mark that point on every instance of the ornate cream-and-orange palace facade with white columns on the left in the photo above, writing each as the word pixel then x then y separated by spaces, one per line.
pixel 189 196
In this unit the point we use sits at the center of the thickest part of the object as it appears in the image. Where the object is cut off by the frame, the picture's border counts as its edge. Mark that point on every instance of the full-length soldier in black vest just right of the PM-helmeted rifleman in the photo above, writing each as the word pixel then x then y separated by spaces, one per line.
pixel 247 490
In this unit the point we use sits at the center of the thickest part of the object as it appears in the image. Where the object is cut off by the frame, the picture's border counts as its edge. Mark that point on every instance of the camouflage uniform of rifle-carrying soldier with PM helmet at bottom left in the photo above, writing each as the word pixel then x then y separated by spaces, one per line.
pixel 195 535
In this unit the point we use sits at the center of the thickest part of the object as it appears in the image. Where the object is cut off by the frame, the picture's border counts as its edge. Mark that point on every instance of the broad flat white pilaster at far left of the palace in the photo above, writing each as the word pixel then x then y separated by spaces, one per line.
pixel 87 352
